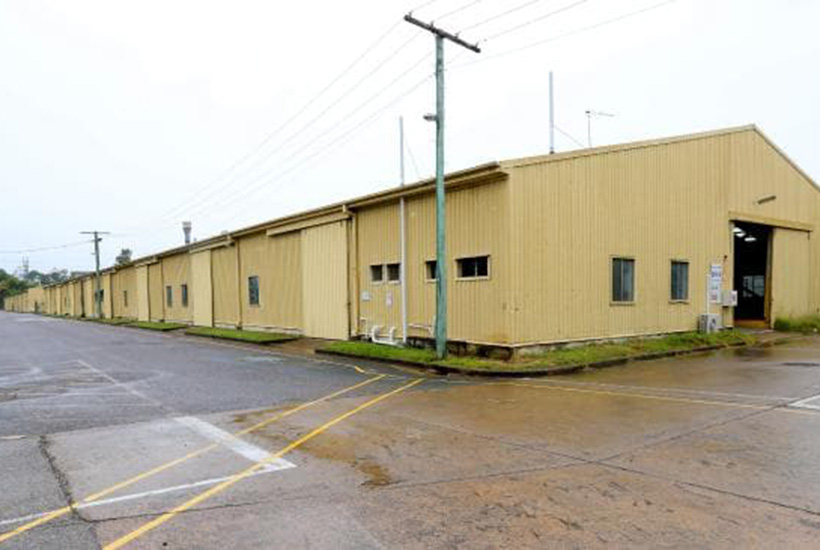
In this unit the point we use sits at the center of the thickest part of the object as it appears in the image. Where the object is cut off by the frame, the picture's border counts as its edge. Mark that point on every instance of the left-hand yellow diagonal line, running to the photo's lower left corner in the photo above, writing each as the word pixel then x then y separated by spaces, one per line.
pixel 54 514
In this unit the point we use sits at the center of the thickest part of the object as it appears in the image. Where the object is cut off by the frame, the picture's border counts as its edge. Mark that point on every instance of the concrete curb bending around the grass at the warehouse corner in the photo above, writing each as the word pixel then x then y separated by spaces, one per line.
pixel 564 369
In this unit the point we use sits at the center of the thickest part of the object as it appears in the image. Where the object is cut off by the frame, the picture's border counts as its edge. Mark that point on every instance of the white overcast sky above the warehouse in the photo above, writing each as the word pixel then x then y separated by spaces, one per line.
pixel 130 117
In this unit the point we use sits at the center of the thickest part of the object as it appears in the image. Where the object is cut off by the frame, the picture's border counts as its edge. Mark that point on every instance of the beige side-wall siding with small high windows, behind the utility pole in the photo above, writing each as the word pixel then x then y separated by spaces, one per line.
pixel 477 225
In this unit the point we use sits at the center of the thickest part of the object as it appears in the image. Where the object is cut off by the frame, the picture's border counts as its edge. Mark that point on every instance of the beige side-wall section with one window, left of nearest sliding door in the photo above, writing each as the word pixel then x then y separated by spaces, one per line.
pixel 277 261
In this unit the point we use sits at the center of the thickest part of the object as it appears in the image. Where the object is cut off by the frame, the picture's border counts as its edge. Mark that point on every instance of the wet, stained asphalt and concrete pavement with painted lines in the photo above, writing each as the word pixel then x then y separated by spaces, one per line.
pixel 162 441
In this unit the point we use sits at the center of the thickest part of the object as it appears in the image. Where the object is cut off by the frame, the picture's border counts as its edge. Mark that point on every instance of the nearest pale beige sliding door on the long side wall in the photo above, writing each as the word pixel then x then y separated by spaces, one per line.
pixel 324 280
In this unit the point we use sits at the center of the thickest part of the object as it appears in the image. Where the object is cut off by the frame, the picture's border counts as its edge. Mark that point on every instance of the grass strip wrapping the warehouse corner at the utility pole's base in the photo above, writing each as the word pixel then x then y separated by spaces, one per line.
pixel 587 354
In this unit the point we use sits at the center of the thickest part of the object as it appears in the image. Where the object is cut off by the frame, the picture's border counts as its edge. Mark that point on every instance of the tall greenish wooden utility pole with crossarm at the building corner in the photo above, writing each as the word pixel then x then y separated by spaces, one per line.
pixel 441 261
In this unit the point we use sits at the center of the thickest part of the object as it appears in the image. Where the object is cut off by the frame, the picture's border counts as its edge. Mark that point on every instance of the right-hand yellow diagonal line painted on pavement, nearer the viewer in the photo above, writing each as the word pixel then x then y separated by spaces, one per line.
pixel 153 524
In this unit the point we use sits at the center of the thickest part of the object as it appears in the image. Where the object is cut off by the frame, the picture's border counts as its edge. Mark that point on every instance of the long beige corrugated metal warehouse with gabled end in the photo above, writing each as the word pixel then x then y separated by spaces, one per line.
pixel 608 242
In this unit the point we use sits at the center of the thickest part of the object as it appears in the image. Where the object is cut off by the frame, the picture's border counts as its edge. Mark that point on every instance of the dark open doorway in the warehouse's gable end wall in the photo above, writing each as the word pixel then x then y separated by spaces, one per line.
pixel 751 244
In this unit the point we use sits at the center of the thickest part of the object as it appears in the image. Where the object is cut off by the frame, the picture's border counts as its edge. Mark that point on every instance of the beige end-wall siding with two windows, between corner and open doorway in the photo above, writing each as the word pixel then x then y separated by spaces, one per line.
pixel 571 217
